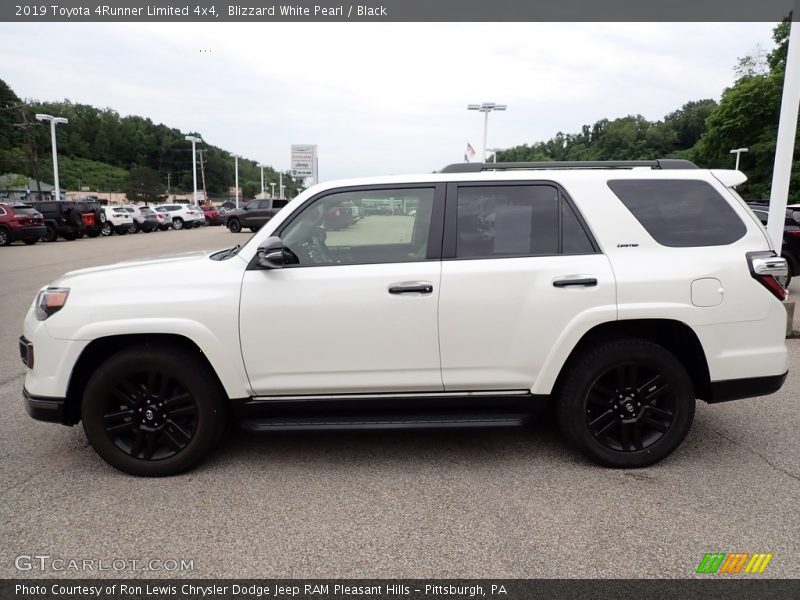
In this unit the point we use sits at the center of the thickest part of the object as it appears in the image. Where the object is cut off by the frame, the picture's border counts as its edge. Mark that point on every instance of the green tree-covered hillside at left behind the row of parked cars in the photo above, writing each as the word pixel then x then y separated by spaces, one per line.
pixel 104 151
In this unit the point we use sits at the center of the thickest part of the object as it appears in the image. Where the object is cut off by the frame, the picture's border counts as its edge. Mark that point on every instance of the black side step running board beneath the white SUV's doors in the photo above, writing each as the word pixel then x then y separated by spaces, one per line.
pixel 334 422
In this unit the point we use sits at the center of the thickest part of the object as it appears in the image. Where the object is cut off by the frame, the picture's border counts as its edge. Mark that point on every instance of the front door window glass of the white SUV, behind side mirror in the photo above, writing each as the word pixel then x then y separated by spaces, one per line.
pixel 361 227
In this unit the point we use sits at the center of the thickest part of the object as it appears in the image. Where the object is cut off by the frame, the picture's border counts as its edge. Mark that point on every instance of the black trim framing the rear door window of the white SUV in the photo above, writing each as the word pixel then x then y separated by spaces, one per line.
pixel 449 243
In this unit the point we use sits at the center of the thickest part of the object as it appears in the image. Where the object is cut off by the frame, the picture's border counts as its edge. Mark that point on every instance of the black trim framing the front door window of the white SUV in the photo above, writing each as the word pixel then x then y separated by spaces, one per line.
pixel 435 235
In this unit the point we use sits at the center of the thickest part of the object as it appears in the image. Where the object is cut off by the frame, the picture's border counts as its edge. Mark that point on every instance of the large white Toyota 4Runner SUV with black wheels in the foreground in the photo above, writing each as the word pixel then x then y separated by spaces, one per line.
pixel 619 292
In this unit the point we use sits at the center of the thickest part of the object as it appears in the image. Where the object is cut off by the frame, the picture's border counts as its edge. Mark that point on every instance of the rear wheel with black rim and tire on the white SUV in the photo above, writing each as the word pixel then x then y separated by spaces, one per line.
pixel 626 403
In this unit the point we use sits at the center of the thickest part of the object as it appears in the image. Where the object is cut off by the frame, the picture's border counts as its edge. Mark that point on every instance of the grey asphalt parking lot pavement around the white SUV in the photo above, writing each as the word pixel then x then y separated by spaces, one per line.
pixel 511 503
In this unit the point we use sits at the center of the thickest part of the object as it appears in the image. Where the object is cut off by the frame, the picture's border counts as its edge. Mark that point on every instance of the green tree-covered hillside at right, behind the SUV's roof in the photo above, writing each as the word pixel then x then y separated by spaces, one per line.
pixel 703 131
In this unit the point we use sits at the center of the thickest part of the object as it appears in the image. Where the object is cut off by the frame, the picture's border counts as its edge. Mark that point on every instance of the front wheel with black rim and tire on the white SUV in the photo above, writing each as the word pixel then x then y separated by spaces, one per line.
pixel 153 411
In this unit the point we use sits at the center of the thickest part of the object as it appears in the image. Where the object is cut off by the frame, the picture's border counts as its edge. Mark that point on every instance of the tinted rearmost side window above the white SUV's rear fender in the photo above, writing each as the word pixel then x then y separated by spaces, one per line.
pixel 680 213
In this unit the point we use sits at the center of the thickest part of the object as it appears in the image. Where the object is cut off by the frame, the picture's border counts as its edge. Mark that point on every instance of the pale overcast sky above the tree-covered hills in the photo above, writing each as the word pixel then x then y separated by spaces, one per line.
pixel 376 98
